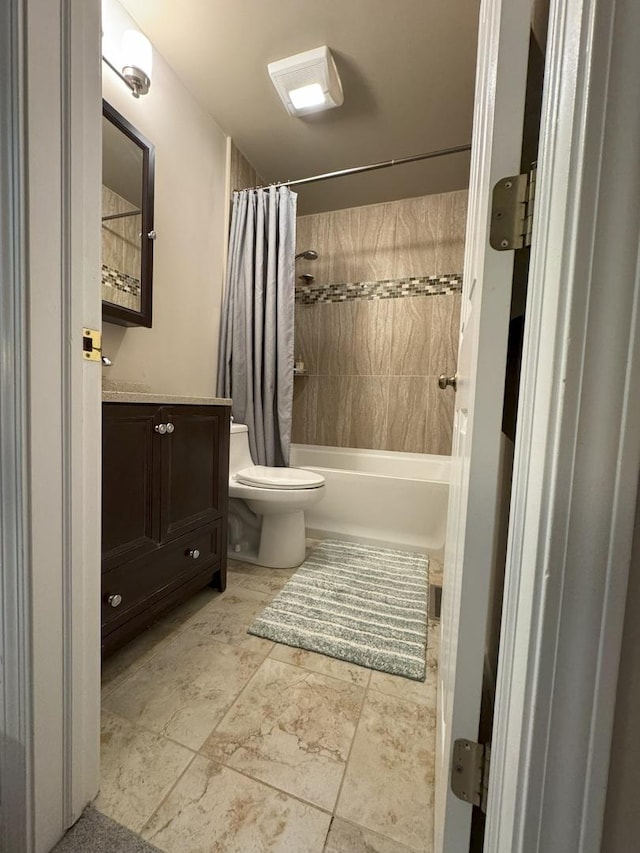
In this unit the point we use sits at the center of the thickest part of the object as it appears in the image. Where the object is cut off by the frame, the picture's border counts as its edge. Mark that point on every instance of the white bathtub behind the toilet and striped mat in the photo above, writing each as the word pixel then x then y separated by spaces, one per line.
pixel 397 499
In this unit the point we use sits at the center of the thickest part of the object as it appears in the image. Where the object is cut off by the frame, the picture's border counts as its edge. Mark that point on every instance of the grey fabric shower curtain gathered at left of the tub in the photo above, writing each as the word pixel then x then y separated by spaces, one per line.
pixel 255 364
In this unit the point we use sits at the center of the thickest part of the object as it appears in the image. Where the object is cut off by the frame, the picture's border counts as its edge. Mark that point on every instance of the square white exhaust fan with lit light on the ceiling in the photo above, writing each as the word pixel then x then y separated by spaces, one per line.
pixel 307 82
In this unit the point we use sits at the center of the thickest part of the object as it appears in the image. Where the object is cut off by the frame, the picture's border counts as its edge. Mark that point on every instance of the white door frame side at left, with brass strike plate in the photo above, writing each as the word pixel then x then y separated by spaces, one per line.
pixel 50 156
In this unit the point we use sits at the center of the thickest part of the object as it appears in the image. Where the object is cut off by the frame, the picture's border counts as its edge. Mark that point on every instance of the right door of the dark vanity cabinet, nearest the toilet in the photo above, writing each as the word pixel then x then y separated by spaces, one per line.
pixel 194 468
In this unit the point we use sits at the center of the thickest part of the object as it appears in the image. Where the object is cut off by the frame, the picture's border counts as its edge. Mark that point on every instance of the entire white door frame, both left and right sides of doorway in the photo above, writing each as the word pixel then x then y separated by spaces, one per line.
pixel 50 641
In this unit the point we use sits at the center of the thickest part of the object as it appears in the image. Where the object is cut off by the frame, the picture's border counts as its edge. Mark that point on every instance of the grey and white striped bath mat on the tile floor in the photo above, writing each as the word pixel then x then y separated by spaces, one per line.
pixel 358 603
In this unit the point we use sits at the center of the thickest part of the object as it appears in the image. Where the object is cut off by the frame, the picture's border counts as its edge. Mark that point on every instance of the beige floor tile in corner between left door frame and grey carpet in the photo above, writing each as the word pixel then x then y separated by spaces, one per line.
pixel 138 769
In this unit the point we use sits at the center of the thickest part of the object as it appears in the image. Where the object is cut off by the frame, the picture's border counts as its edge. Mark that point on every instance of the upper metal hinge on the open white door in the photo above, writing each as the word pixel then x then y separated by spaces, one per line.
pixel 512 207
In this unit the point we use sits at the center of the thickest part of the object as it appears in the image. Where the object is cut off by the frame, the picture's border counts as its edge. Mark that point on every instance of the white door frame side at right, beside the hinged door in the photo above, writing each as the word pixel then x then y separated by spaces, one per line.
pixel 577 453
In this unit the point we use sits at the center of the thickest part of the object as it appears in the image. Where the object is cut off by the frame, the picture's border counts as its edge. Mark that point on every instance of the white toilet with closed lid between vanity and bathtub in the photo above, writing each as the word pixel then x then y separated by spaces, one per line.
pixel 266 507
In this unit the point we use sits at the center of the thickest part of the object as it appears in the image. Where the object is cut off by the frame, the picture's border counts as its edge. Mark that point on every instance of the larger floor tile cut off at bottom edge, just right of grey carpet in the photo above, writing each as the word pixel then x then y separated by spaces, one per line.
pixel 215 810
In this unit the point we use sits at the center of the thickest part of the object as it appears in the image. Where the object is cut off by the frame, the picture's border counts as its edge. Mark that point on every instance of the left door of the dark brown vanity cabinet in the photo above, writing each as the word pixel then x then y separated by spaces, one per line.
pixel 130 526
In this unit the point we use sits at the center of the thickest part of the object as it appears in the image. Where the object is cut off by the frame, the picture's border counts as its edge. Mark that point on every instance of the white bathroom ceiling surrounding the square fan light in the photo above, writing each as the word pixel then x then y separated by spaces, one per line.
pixel 407 69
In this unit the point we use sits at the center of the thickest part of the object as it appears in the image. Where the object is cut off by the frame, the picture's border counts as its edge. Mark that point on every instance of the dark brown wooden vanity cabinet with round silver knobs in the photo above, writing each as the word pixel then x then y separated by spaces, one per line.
pixel 164 510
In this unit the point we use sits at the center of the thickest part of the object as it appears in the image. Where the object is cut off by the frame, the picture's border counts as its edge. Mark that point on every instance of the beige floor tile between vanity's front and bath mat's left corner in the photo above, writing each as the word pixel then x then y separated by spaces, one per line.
pixel 227 618
